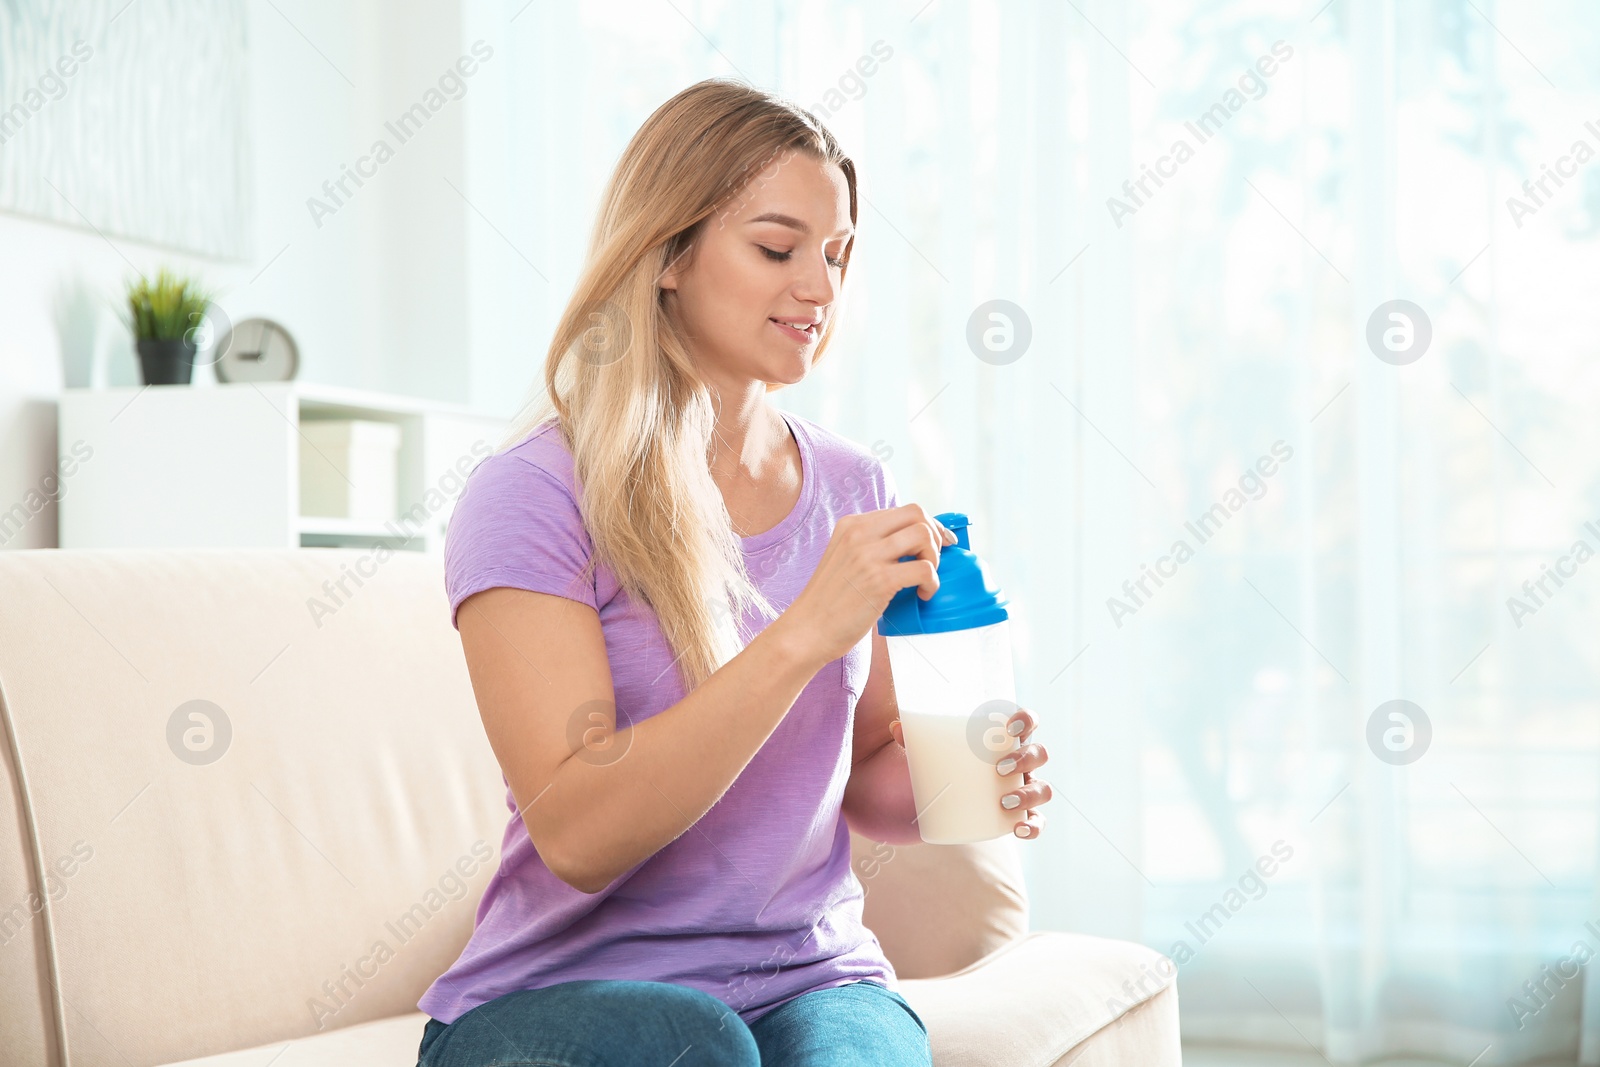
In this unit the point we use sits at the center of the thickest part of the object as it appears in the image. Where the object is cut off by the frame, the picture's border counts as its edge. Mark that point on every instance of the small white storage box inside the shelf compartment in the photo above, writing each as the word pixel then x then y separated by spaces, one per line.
pixel 350 470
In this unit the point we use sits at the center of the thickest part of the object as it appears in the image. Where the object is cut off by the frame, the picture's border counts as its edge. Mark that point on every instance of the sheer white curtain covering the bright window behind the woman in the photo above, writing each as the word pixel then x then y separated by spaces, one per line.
pixel 1231 532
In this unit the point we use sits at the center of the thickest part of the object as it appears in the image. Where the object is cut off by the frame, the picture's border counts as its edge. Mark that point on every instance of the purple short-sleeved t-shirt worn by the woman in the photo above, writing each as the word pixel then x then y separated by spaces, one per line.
pixel 756 903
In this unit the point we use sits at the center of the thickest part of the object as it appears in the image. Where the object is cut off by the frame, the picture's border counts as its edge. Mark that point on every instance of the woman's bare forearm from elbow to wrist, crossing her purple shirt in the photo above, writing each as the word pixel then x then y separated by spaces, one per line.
pixel 614 813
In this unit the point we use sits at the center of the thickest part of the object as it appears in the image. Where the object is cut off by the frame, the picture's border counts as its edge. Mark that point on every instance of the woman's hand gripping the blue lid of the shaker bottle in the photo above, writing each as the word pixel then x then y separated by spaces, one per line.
pixel 860 573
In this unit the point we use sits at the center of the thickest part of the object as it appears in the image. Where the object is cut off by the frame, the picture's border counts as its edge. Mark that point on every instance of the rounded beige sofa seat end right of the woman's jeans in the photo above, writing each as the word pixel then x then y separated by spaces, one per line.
pixel 1050 999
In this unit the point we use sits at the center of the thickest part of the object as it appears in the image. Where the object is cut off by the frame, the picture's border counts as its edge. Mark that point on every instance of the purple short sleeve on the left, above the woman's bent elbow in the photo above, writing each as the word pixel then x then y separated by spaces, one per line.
pixel 518 526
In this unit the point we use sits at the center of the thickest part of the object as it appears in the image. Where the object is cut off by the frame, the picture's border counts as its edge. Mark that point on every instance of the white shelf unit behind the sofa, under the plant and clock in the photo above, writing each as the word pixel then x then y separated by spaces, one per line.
pixel 218 466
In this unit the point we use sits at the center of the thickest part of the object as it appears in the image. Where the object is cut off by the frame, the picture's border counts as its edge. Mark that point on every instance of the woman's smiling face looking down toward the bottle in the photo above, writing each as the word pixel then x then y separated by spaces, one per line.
pixel 770 255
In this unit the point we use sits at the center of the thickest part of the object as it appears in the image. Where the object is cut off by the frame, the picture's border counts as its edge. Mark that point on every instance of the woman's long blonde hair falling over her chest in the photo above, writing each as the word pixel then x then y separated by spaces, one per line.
pixel 620 380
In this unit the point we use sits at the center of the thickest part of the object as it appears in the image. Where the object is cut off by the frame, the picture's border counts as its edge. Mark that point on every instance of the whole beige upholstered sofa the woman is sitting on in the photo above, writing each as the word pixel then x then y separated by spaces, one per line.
pixel 287 901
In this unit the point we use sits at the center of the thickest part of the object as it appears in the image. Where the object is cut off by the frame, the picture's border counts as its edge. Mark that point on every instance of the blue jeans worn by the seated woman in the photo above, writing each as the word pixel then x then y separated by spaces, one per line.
pixel 604 1023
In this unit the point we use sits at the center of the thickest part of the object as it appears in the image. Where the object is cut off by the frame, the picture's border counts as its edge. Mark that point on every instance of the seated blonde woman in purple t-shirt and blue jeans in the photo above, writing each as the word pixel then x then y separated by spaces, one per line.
pixel 668 594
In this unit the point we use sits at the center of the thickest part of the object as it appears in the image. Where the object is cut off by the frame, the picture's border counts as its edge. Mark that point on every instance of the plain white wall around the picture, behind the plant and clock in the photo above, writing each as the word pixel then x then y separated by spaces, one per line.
pixel 377 297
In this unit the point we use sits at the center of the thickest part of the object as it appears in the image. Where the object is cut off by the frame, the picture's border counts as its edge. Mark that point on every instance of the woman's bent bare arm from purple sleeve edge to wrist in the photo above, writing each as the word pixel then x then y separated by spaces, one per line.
pixel 594 799
